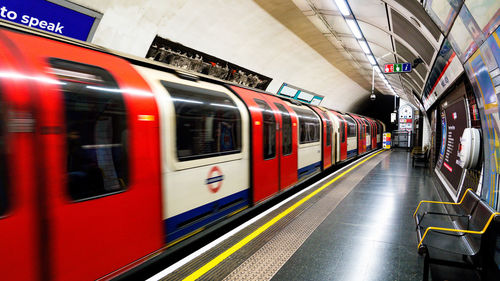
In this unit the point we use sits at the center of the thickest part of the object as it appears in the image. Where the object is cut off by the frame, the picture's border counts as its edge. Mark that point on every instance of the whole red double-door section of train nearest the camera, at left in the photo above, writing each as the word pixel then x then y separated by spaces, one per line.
pixel 98 101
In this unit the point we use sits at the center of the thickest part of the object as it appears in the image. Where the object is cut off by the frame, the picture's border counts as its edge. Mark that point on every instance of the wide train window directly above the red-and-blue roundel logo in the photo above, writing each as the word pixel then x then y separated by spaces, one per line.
pixel 208 123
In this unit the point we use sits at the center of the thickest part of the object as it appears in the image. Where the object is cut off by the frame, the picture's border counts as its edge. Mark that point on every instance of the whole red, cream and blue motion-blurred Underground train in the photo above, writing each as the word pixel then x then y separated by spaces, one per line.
pixel 106 159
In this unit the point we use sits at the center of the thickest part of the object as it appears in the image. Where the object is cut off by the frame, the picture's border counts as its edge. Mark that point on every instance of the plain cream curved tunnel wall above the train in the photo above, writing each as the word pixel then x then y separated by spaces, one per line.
pixel 238 31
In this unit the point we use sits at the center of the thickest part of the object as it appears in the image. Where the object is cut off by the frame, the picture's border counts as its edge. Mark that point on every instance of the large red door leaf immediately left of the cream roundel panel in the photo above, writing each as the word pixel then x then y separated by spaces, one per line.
pixel 99 160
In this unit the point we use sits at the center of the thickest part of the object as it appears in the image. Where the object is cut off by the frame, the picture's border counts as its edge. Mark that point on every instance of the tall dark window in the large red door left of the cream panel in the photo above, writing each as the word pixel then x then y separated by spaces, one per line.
pixel 96 130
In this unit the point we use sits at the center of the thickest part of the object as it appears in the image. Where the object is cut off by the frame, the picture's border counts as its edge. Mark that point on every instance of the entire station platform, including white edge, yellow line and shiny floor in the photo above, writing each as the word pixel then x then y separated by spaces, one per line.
pixel 355 224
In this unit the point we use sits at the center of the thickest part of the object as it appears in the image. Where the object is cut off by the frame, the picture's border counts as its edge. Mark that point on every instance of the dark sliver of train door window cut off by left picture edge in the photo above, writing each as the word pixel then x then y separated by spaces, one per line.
pixel 4 203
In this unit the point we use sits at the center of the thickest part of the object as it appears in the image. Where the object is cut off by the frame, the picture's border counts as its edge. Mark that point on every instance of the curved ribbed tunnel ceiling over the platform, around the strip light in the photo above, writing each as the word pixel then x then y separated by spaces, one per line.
pixel 396 31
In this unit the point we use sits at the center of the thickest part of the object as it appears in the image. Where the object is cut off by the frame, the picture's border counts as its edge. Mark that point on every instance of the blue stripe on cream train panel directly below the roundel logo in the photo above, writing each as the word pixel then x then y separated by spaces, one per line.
pixel 187 222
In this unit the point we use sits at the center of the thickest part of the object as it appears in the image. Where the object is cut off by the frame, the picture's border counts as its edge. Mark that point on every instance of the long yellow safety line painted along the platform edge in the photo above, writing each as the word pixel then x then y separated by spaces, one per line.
pixel 204 269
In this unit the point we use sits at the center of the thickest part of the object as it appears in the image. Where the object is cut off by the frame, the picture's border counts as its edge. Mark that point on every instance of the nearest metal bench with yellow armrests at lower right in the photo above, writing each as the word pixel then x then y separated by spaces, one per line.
pixel 463 232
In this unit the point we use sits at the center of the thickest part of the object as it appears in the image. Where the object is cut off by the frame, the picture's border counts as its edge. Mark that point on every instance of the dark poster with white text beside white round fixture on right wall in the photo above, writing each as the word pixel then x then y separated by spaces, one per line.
pixel 456 122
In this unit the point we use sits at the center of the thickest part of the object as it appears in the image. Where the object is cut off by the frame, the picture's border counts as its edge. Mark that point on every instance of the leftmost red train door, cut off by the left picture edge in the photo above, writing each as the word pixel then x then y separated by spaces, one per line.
pixel 20 215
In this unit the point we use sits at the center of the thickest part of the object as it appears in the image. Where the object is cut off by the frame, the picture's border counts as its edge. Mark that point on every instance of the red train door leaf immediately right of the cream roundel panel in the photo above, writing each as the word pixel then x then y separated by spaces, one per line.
pixel 265 140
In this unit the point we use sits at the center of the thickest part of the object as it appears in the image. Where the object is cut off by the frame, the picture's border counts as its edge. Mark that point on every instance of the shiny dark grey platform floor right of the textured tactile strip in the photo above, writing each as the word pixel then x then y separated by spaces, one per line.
pixel 370 235
